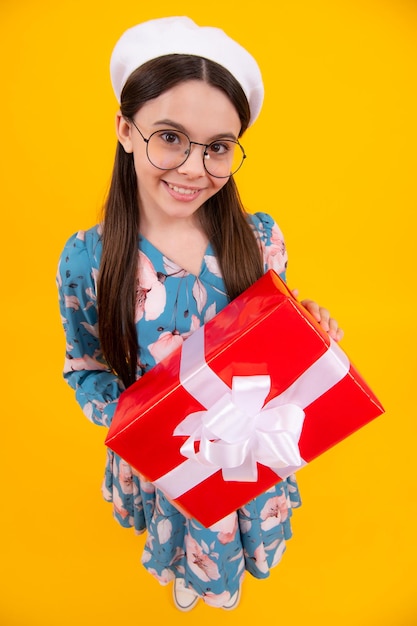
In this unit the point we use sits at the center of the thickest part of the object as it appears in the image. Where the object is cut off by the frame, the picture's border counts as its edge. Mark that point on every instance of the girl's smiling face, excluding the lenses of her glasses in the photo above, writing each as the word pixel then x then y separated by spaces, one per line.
pixel 205 114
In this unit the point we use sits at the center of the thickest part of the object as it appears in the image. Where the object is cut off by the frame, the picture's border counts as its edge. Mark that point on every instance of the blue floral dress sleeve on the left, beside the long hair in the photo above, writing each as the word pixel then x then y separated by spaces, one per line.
pixel 97 388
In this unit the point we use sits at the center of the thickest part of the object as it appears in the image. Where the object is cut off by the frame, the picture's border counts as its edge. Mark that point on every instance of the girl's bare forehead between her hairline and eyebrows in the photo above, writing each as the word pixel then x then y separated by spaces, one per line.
pixel 196 106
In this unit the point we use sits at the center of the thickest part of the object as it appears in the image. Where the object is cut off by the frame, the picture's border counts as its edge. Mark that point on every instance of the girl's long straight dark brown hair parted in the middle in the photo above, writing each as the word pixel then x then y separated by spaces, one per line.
pixel 222 216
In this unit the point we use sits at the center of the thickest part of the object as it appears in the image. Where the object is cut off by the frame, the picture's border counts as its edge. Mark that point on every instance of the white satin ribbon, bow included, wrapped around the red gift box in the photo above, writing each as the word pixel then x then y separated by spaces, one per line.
pixel 237 430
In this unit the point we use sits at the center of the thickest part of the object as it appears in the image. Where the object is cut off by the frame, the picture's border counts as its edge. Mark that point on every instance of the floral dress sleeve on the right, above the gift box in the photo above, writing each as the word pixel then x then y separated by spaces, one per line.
pixel 271 242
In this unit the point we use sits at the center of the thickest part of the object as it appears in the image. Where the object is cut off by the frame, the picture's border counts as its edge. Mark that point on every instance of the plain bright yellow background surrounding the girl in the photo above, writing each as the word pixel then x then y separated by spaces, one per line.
pixel 333 158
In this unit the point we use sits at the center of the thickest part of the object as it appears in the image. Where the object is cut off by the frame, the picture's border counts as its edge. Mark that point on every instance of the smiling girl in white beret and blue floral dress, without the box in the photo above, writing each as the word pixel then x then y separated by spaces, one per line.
pixel 175 246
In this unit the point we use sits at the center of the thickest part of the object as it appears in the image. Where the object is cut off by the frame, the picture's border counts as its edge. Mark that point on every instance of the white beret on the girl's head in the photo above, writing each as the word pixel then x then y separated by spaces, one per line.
pixel 180 35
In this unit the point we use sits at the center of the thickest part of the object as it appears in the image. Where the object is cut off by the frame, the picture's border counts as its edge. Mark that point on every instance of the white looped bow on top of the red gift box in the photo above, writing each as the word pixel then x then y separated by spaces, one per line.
pixel 235 432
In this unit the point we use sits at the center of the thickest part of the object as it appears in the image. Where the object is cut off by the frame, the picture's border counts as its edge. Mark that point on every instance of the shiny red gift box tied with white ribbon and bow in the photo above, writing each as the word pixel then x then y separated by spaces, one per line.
pixel 249 398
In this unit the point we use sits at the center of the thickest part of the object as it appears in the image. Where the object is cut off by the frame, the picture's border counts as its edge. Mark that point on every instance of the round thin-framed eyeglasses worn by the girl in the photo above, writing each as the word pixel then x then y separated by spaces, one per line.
pixel 169 149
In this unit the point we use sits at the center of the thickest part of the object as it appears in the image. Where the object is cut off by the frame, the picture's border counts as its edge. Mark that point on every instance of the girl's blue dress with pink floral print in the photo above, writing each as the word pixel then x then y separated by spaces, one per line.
pixel 171 304
